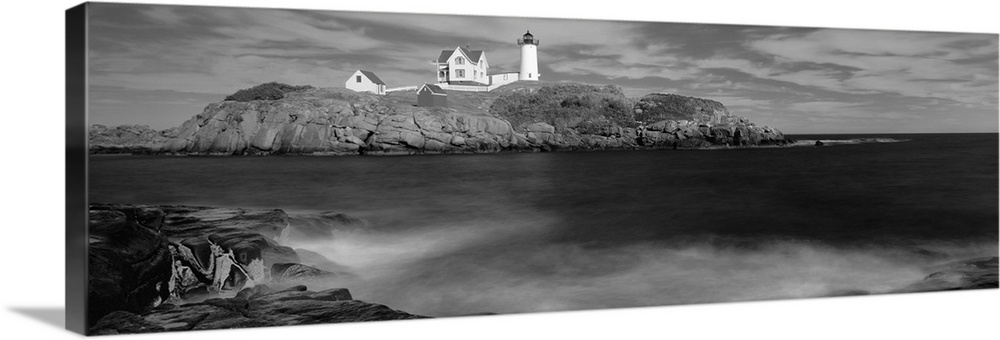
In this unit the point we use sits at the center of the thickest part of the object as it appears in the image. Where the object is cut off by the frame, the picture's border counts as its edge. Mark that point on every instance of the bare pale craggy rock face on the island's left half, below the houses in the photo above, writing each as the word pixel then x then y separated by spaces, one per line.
pixel 333 121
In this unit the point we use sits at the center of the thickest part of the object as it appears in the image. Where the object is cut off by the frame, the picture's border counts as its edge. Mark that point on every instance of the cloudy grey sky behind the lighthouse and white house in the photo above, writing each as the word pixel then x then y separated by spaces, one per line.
pixel 160 65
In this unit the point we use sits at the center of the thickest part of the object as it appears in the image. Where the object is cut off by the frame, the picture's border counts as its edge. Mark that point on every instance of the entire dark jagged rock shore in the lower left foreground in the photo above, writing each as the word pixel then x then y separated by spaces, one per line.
pixel 151 267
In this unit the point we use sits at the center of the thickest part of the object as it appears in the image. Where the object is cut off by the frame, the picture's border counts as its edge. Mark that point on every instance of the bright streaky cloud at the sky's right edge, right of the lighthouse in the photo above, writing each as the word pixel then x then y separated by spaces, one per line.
pixel 915 64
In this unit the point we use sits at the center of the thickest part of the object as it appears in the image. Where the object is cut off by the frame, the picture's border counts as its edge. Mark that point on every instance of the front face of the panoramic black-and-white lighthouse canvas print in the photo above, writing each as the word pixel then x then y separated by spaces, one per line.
pixel 269 167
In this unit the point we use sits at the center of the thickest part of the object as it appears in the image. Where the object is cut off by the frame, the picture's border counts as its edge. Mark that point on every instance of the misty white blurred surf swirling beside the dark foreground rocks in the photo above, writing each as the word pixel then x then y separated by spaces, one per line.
pixel 467 269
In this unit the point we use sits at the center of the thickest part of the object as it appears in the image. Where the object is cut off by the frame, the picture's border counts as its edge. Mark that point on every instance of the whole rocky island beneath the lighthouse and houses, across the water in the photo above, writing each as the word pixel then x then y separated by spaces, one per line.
pixel 517 117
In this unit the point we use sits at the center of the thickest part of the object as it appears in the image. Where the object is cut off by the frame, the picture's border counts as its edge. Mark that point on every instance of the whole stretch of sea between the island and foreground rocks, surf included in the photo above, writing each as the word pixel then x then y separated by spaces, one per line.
pixel 521 232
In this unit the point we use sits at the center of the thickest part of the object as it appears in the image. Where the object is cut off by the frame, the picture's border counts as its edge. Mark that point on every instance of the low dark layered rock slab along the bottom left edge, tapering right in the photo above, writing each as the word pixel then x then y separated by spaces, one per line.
pixel 252 307
